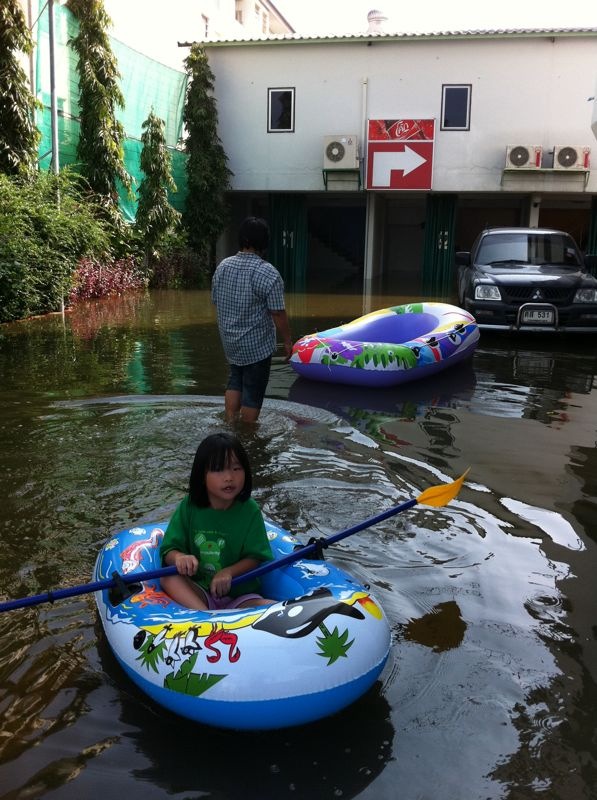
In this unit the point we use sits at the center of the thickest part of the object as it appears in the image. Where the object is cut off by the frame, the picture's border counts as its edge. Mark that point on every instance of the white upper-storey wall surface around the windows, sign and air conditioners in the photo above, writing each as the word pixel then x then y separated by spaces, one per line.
pixel 525 90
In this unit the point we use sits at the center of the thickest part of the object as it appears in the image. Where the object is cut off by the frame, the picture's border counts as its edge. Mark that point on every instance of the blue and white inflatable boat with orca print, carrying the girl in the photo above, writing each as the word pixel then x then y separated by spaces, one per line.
pixel 319 647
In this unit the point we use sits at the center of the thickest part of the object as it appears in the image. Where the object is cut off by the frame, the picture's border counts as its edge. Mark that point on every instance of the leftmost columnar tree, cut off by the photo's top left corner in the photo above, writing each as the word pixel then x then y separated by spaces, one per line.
pixel 19 136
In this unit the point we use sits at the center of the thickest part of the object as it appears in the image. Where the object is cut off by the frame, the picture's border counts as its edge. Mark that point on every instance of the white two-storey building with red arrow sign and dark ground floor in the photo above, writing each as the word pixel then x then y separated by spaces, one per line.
pixel 502 135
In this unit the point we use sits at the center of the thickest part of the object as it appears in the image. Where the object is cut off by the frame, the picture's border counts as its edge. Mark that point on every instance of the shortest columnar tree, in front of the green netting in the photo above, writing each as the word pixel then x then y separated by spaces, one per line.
pixel 155 216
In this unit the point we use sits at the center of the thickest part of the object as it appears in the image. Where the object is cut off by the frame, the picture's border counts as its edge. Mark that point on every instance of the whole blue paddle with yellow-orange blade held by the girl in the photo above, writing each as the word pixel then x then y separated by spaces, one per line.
pixel 434 496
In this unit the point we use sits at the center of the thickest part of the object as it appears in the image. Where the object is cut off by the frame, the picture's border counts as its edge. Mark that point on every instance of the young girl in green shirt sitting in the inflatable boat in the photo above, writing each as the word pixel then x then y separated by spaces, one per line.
pixel 217 532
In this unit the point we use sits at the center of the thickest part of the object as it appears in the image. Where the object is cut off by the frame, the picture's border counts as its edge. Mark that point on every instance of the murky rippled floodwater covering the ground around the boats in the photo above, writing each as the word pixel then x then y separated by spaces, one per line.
pixel 490 689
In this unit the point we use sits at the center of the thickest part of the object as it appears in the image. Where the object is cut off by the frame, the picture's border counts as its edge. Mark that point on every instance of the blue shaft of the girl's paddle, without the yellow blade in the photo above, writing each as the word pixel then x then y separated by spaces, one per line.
pixel 269 566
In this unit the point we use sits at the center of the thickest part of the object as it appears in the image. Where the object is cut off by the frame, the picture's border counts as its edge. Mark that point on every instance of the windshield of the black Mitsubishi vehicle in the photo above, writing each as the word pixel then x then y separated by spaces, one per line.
pixel 528 248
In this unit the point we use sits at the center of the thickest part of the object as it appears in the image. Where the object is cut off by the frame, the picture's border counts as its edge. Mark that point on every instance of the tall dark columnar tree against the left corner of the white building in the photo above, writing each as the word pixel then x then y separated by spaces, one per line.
pixel 208 176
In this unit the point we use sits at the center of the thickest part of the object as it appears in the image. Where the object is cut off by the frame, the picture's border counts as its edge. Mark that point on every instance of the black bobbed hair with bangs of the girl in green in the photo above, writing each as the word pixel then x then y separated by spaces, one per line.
pixel 214 454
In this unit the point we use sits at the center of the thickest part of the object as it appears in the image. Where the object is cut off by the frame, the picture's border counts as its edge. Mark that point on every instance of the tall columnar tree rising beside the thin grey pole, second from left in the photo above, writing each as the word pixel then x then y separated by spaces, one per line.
pixel 100 148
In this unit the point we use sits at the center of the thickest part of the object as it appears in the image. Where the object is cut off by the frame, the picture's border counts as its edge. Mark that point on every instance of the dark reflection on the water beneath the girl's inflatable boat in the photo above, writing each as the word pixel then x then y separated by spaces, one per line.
pixel 336 757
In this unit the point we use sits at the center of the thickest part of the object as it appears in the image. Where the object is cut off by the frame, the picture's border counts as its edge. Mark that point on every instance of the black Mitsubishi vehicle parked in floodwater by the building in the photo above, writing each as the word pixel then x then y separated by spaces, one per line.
pixel 528 279
